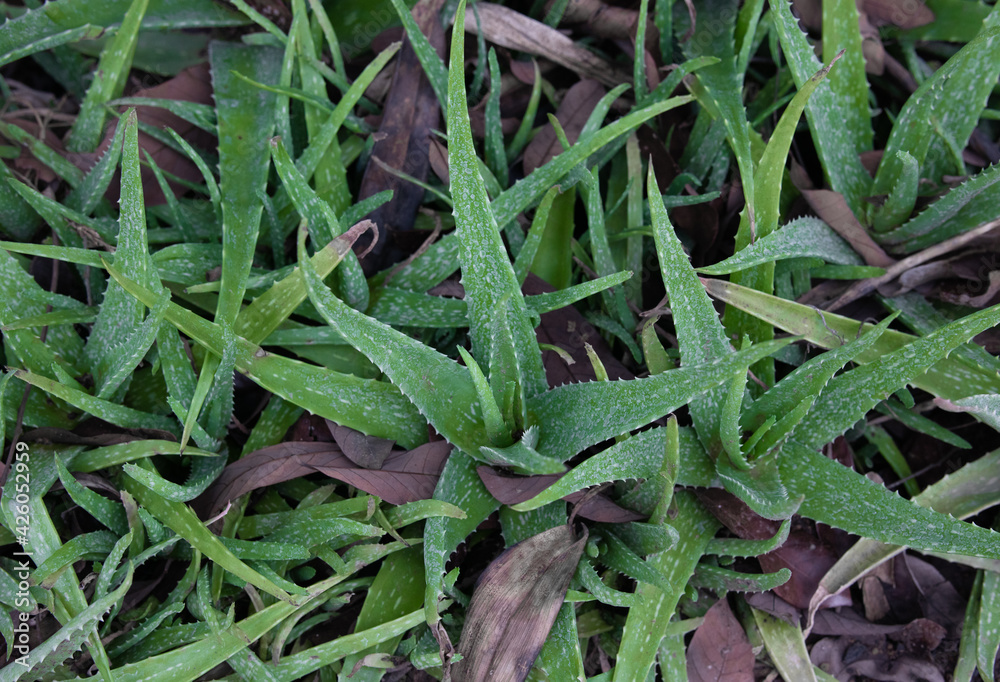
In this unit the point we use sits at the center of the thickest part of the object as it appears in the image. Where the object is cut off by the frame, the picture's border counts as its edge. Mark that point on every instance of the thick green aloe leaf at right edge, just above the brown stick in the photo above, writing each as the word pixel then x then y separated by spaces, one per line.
pixel 963 208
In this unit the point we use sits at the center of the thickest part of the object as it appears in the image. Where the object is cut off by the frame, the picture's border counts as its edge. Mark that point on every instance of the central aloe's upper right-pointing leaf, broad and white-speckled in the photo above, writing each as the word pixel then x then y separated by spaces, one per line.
pixel 617 407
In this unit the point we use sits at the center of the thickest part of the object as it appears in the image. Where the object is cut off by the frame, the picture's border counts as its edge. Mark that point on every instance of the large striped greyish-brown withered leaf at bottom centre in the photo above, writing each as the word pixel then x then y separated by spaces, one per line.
pixel 515 604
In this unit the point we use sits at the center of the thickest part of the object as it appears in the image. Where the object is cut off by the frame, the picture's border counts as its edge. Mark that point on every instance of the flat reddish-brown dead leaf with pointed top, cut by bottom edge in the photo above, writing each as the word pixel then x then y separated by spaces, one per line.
pixel 720 650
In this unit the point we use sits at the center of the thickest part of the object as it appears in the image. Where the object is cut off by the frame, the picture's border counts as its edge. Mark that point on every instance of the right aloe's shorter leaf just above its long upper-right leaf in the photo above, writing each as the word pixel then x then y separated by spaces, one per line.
pixel 809 379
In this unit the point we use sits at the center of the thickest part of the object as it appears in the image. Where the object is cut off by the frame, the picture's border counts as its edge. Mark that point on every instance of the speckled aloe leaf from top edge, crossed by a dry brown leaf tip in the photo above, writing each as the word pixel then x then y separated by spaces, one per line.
pixel 826 112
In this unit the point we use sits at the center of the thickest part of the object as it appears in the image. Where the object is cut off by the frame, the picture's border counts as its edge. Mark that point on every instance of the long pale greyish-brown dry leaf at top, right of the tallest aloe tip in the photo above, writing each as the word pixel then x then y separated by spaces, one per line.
pixel 515 31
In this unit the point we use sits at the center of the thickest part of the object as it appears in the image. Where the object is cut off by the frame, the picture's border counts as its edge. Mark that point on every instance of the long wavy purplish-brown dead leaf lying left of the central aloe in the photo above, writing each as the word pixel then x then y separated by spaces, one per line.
pixel 405 476
